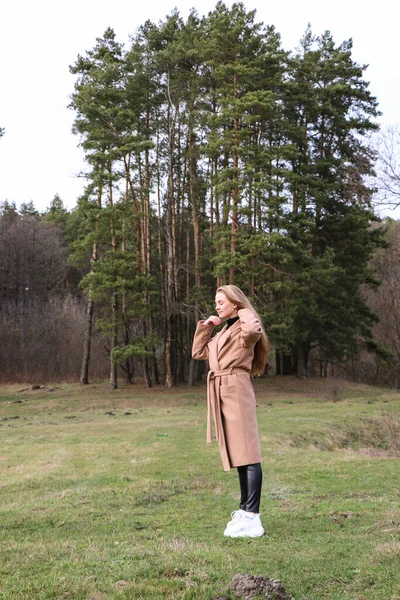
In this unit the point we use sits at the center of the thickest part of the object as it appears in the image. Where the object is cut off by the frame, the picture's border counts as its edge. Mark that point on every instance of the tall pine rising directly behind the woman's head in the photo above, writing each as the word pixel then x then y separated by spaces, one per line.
pixel 245 65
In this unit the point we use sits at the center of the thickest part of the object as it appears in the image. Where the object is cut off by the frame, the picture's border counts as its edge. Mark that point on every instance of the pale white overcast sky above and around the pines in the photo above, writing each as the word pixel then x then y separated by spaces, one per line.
pixel 39 155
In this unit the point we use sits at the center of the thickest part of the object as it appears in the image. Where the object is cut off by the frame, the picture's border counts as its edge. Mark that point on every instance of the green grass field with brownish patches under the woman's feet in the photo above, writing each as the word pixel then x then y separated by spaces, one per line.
pixel 109 495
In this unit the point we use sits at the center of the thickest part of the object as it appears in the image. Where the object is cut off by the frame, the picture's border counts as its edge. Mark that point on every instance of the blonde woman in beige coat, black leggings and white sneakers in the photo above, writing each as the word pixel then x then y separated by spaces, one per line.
pixel 239 350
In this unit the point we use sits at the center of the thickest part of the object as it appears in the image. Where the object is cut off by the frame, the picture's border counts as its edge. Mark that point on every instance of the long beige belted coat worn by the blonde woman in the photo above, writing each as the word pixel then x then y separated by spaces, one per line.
pixel 230 392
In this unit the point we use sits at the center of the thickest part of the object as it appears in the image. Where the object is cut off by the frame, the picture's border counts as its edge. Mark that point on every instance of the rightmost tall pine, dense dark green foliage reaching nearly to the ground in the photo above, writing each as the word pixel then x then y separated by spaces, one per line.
pixel 329 112
